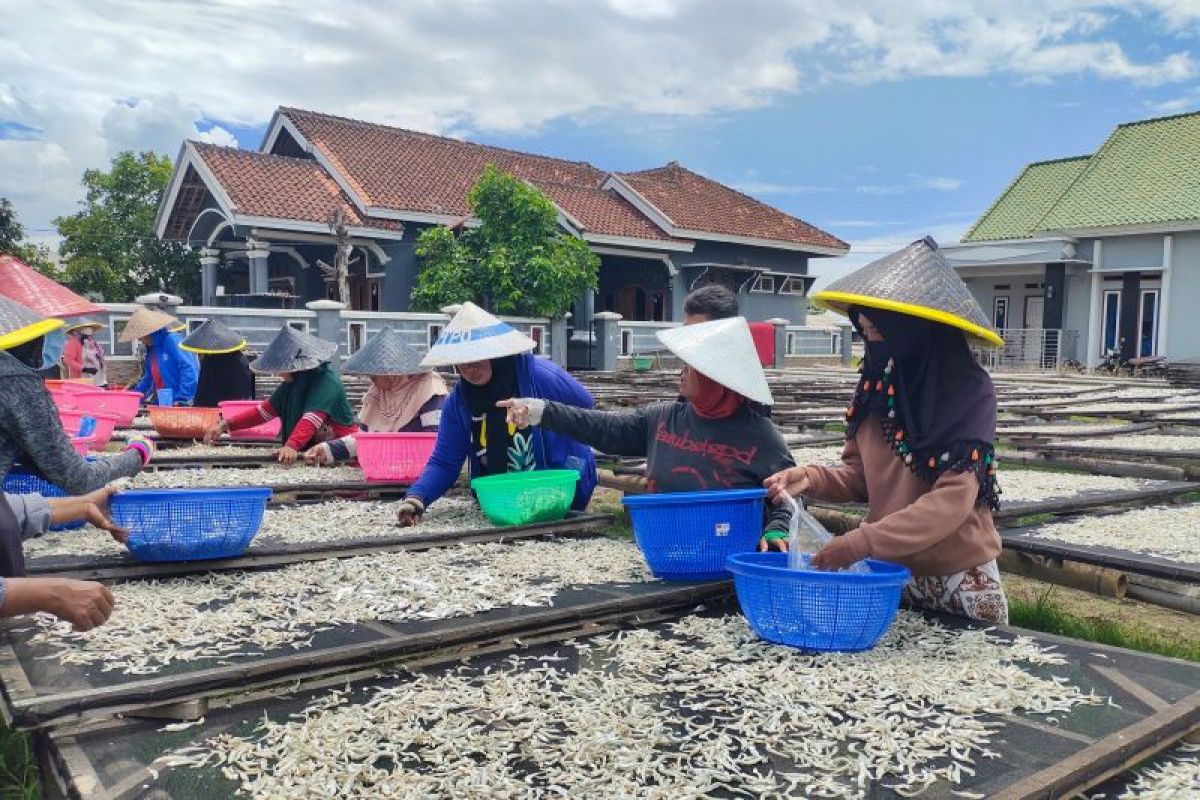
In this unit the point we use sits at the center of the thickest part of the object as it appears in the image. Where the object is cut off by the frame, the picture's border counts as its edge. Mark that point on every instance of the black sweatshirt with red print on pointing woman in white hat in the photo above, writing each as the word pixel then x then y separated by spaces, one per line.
pixel 683 452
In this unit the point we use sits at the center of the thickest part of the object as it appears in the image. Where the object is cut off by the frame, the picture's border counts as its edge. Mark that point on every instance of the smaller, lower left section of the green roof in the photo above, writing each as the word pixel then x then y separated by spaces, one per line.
pixel 1017 213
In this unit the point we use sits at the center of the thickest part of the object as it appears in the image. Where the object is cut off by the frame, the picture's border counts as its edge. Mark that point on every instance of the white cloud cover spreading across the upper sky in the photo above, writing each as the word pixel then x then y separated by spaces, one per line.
pixel 97 76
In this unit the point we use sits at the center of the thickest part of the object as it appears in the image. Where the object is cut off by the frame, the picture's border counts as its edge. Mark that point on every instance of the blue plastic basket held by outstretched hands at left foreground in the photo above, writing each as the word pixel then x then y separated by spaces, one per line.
pixel 190 525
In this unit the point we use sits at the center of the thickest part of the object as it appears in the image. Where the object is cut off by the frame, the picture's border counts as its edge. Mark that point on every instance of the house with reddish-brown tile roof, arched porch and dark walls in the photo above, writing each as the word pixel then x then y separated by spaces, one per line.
pixel 260 221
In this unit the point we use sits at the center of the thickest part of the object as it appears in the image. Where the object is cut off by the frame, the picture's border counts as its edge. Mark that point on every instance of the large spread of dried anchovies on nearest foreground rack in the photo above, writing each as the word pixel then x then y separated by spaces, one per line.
pixel 699 709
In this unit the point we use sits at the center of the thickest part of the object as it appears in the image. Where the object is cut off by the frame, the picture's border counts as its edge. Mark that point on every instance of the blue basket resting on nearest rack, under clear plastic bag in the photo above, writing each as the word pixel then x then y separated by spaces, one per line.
pixel 813 610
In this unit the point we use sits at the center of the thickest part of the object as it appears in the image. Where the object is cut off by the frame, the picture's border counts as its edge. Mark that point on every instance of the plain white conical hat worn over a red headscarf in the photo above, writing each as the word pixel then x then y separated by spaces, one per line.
pixel 722 351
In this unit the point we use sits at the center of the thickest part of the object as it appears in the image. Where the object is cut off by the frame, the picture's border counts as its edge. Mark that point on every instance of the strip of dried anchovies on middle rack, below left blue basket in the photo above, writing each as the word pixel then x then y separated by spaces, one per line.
pixel 215 616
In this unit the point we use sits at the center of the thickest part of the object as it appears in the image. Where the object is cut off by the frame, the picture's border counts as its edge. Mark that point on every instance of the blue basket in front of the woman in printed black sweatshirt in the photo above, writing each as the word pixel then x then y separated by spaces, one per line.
pixel 689 536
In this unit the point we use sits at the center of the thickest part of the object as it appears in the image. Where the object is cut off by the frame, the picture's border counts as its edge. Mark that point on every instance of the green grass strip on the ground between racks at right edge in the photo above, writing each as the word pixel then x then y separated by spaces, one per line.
pixel 1047 616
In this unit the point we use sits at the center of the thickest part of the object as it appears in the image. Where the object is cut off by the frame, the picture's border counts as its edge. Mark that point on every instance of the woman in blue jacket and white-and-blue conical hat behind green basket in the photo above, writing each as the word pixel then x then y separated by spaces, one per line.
pixel 496 363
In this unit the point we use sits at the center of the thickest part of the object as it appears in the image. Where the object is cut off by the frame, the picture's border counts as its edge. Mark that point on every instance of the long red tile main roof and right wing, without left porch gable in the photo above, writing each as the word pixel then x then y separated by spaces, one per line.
pixel 407 171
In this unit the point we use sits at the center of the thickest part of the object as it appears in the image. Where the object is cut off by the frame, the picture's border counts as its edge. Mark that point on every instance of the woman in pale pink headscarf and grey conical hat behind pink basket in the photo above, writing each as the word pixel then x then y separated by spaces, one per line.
pixel 405 398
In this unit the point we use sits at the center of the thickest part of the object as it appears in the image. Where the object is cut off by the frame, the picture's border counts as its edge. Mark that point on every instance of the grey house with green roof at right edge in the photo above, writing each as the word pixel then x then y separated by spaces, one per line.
pixel 1090 254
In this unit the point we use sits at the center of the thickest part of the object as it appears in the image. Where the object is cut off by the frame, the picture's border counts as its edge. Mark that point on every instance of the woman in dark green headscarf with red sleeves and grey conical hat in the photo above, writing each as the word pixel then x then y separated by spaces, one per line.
pixel 311 402
